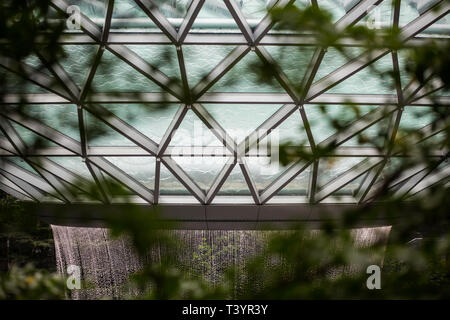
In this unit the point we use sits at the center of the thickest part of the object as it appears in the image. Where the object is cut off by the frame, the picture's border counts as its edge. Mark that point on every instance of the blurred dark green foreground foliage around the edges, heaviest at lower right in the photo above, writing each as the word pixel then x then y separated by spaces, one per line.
pixel 296 264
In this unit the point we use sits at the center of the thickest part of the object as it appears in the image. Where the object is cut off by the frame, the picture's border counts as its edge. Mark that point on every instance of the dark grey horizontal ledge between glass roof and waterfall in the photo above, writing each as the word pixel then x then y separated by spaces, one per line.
pixel 213 217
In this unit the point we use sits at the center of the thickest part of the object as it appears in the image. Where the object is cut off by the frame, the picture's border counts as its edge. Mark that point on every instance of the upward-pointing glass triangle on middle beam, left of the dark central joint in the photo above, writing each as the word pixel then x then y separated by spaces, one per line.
pixel 113 74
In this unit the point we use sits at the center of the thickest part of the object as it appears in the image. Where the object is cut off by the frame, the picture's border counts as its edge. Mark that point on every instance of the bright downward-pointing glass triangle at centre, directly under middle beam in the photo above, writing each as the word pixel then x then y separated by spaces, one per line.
pixel 231 118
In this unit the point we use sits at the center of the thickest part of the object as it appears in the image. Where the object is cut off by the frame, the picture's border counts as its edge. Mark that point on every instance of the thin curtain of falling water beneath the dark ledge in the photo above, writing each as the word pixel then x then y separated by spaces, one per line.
pixel 107 262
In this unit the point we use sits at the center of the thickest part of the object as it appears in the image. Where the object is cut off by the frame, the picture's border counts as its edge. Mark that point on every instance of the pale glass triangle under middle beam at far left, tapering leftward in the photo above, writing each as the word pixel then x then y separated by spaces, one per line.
pixel 61 117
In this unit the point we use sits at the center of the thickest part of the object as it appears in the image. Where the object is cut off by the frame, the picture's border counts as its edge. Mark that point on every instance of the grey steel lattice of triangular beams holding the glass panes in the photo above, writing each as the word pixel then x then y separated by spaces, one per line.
pixel 50 183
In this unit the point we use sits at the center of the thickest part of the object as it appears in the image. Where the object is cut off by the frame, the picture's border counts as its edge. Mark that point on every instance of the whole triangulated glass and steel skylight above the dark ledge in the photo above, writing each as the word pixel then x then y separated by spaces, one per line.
pixel 176 114
